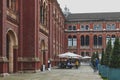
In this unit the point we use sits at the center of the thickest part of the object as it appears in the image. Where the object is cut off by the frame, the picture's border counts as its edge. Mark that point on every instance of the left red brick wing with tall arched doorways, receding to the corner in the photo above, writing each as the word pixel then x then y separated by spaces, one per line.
pixel 31 33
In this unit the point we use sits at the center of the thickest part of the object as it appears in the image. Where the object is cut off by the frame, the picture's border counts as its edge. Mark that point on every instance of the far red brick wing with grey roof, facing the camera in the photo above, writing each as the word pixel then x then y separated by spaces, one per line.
pixel 89 32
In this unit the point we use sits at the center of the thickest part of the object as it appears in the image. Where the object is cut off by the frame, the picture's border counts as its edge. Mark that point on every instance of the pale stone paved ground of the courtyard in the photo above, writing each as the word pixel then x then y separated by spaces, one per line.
pixel 83 73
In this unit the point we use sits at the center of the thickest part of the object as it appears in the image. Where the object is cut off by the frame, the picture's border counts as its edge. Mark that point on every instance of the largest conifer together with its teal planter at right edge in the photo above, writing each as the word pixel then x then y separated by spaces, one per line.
pixel 114 72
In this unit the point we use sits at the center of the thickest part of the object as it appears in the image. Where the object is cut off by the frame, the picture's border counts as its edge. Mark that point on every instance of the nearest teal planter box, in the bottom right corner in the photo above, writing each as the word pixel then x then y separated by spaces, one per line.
pixel 114 74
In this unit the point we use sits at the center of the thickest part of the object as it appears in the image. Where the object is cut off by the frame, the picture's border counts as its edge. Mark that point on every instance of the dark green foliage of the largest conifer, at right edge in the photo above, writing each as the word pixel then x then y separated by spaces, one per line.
pixel 115 55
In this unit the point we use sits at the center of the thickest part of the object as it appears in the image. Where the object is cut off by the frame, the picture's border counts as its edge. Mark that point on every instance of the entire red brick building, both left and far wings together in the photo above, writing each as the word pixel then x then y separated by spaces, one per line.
pixel 32 32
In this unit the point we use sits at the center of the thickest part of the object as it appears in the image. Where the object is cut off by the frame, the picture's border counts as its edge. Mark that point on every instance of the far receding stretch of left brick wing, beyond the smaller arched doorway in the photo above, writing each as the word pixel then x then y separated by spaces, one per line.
pixel 56 38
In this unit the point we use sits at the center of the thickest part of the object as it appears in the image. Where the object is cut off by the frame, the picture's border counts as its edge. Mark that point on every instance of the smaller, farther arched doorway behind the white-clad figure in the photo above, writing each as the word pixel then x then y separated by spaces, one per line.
pixel 43 59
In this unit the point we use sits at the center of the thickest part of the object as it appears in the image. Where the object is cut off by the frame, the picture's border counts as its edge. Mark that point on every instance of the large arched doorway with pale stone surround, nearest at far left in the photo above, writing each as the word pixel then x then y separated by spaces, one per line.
pixel 11 51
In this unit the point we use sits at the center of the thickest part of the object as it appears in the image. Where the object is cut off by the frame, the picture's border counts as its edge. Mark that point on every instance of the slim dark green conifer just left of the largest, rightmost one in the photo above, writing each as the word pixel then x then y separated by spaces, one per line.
pixel 107 53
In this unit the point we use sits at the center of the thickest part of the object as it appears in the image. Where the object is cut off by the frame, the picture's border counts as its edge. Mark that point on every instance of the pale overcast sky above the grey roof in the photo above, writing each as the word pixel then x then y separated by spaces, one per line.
pixel 90 6
